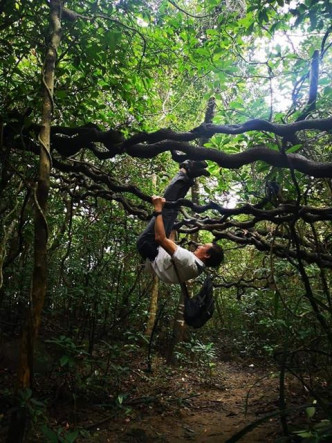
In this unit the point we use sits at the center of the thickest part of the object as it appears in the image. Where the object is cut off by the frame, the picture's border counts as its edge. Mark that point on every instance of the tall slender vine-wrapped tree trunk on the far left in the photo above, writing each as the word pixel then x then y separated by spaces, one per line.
pixel 38 286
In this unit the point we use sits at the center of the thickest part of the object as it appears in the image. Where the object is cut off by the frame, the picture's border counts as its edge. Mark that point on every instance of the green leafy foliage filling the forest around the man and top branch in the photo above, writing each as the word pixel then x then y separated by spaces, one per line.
pixel 135 67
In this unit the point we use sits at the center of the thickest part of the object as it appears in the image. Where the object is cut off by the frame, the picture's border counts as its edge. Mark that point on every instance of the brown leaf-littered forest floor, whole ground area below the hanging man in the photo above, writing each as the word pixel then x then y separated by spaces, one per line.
pixel 169 404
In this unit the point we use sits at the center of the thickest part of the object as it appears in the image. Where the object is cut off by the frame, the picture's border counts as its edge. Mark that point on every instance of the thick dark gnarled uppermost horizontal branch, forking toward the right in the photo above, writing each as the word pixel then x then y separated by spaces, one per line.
pixel 69 141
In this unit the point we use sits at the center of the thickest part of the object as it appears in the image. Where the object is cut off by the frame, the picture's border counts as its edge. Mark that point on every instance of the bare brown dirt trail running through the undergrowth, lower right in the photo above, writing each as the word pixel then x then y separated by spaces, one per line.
pixel 209 412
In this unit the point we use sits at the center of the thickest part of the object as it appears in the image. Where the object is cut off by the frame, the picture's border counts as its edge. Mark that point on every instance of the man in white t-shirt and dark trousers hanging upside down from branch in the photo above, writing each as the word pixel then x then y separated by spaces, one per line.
pixel 162 254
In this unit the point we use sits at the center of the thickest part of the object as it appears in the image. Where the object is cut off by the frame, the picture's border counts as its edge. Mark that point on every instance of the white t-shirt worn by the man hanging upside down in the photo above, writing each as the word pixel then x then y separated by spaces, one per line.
pixel 187 265
